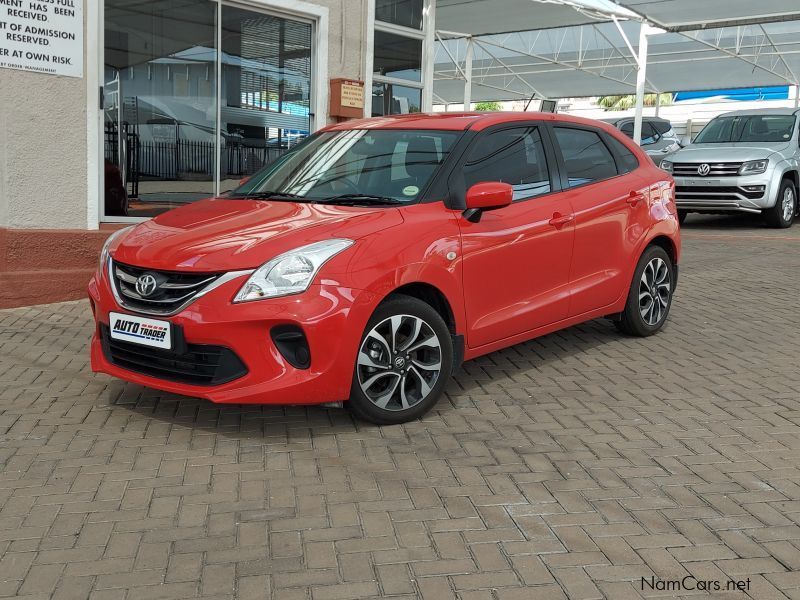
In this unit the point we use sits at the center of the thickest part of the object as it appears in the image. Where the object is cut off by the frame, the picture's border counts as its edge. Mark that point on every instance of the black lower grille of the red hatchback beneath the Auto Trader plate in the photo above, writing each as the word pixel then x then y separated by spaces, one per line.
pixel 194 364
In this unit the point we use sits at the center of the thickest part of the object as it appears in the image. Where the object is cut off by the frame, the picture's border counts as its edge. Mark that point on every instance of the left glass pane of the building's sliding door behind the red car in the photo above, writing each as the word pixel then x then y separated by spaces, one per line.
pixel 160 74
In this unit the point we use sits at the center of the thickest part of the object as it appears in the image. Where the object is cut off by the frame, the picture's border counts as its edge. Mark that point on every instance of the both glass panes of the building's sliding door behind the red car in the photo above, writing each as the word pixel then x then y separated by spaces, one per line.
pixel 197 96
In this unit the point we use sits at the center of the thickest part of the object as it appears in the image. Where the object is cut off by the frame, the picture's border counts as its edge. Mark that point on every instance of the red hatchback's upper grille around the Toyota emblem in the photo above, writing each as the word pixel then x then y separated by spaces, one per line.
pixel 173 290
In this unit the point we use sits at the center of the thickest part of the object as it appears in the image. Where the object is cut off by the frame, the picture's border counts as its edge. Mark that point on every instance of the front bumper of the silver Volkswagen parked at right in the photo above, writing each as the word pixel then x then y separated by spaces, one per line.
pixel 751 194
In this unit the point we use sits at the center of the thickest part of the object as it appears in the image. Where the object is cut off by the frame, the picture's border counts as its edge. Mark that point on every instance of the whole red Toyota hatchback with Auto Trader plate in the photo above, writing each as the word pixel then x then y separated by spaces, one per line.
pixel 372 259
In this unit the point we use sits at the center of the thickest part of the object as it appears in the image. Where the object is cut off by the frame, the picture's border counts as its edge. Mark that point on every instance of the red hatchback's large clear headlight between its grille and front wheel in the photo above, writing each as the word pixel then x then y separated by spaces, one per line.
pixel 290 273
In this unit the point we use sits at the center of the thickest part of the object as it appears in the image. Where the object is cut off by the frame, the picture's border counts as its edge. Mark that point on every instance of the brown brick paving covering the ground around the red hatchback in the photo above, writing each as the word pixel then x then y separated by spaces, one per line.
pixel 569 466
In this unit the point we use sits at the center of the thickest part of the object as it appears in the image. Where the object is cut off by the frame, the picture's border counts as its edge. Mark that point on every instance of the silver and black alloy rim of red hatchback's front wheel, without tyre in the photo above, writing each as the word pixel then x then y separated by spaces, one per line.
pixel 399 362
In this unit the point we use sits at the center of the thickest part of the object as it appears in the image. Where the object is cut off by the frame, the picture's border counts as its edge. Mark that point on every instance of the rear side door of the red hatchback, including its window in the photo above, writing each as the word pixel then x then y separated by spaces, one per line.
pixel 608 201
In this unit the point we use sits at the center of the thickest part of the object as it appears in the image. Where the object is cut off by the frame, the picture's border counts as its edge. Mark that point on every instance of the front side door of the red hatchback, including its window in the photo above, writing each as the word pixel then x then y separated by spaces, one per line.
pixel 516 259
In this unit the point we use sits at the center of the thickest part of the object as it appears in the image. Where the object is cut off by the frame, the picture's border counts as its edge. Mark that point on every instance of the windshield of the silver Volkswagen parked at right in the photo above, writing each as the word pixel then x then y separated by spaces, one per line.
pixel 747 128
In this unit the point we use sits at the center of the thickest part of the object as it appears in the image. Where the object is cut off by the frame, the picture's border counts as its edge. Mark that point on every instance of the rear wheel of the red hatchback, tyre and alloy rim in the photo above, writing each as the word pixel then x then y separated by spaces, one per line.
pixel 650 295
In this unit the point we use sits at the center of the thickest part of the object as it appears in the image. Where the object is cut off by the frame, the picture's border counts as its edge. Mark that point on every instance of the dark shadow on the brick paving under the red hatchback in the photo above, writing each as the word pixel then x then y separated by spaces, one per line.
pixel 491 374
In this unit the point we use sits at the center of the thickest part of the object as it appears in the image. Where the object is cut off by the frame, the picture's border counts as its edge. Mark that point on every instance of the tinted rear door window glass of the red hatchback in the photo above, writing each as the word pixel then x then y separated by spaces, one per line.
pixel 586 157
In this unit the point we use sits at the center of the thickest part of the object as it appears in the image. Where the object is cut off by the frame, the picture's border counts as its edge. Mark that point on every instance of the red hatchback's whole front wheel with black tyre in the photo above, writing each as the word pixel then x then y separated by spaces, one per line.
pixel 404 361
